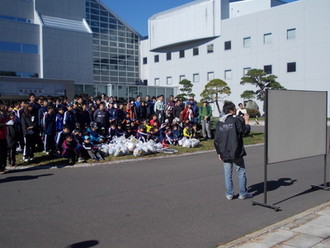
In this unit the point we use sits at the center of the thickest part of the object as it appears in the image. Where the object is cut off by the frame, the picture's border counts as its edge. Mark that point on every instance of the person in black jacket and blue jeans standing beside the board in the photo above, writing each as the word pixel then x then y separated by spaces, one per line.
pixel 228 142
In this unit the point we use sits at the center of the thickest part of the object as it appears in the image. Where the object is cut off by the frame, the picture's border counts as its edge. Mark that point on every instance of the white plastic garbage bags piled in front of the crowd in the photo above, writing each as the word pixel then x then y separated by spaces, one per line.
pixel 121 146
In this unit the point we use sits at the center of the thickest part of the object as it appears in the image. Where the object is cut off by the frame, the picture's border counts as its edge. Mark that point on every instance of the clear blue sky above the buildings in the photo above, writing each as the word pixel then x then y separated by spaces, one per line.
pixel 136 13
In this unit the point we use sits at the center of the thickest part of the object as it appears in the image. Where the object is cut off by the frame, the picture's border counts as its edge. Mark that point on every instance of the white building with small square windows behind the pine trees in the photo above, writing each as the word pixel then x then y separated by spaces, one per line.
pixel 209 39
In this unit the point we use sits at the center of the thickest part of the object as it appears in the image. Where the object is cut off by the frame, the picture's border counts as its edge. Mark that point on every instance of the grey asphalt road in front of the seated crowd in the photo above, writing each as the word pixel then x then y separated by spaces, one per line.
pixel 160 203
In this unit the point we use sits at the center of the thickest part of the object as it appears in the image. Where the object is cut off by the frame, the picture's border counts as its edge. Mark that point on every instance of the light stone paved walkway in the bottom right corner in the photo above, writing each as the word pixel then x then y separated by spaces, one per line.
pixel 310 229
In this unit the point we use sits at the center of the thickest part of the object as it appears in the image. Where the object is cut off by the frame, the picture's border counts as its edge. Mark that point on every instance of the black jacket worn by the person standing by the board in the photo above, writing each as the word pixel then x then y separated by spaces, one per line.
pixel 228 140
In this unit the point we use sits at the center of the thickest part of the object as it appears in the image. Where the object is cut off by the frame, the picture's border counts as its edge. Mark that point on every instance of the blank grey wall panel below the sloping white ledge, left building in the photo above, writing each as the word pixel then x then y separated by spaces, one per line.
pixel 67 55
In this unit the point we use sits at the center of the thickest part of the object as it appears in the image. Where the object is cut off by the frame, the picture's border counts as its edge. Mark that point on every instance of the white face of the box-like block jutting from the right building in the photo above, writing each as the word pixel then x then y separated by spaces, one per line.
pixel 193 21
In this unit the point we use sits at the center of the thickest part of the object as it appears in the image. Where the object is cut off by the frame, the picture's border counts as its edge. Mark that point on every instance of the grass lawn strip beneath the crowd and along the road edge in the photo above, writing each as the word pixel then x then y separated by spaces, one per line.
pixel 42 159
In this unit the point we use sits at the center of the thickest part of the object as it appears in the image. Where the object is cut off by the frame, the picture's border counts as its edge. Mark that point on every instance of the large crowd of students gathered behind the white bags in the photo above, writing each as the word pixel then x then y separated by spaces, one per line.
pixel 74 130
